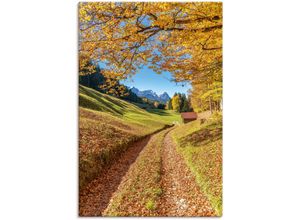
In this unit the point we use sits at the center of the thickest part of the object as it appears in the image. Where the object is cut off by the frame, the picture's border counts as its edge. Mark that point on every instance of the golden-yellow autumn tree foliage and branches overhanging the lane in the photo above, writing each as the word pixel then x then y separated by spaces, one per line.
pixel 184 39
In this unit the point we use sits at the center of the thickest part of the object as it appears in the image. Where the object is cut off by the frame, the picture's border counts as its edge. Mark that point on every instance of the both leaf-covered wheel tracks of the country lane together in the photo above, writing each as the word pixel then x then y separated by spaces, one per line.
pixel 181 194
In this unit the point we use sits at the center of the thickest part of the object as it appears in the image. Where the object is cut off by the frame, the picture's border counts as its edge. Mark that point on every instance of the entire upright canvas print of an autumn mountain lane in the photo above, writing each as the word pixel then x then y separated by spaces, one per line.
pixel 150 108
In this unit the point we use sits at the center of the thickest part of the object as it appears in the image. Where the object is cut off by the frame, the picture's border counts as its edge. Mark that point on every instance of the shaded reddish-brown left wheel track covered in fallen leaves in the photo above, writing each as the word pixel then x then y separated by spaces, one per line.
pixel 95 197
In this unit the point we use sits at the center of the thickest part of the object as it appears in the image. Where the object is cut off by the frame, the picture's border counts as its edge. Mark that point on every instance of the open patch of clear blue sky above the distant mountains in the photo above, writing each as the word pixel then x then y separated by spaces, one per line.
pixel 147 79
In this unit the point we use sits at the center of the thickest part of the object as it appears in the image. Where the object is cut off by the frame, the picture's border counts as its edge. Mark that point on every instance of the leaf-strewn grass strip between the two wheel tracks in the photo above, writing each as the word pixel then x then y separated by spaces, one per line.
pixel 140 193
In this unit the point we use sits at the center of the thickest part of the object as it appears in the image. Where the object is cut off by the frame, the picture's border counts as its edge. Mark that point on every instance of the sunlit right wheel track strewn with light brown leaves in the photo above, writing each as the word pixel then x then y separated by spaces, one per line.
pixel 181 195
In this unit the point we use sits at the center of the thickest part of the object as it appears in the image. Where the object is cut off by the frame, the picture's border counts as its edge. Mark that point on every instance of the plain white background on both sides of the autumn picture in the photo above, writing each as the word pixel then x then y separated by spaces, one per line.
pixel 38 113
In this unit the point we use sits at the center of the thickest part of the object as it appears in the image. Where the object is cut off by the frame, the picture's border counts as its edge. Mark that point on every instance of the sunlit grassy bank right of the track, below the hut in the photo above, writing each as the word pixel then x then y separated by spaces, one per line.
pixel 201 147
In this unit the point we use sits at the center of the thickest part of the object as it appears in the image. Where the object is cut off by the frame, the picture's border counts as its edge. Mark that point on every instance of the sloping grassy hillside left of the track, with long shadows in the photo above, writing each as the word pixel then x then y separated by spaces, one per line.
pixel 108 126
